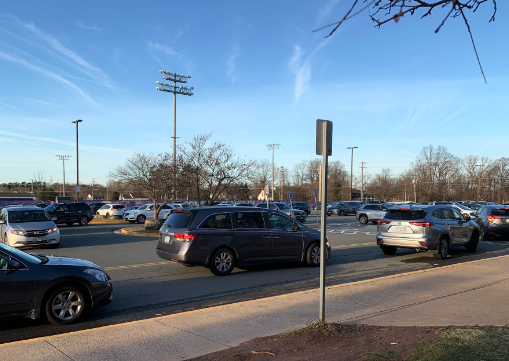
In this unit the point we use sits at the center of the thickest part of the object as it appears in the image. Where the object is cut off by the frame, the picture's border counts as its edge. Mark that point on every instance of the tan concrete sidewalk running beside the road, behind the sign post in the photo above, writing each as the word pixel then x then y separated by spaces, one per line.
pixel 471 293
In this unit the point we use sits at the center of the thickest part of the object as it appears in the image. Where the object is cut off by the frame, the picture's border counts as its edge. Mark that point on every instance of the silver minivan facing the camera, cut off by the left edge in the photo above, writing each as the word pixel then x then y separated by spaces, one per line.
pixel 28 227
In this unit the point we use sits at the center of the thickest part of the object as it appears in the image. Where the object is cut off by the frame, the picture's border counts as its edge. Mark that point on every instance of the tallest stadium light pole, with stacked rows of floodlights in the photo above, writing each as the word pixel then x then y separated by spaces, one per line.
pixel 169 88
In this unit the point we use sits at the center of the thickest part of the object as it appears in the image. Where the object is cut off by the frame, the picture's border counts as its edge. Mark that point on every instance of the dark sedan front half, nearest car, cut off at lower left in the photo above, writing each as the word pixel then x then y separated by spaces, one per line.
pixel 59 288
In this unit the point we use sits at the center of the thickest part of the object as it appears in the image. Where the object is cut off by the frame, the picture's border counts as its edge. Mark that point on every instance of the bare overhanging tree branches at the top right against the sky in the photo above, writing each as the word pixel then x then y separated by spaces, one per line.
pixel 384 11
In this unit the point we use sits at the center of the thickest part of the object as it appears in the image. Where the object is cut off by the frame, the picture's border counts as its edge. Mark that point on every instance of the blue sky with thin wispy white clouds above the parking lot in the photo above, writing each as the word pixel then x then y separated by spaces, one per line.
pixel 260 76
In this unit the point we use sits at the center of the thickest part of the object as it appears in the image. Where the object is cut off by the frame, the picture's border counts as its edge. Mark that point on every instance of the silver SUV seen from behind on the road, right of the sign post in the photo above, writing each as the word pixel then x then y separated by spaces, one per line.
pixel 428 228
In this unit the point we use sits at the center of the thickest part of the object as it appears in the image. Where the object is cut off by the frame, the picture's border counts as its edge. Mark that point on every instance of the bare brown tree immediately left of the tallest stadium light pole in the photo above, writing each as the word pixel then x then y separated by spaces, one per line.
pixel 151 173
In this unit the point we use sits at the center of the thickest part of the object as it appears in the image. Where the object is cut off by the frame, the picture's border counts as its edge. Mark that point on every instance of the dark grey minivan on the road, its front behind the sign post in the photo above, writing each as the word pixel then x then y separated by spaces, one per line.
pixel 221 238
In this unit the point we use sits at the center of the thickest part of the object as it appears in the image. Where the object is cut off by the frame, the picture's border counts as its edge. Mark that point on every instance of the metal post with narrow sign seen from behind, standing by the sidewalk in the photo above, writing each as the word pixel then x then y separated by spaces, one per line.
pixel 323 148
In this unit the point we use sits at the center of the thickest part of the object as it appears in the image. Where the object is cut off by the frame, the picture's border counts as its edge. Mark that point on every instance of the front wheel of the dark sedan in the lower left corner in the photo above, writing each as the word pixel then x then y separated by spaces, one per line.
pixel 65 304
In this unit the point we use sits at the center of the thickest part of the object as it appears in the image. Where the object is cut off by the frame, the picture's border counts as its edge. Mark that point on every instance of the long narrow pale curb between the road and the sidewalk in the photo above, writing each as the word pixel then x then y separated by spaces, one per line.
pixel 372 280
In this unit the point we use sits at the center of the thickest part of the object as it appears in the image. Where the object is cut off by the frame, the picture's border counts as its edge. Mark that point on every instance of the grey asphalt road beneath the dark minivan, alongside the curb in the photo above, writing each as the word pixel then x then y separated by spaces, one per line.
pixel 146 286
